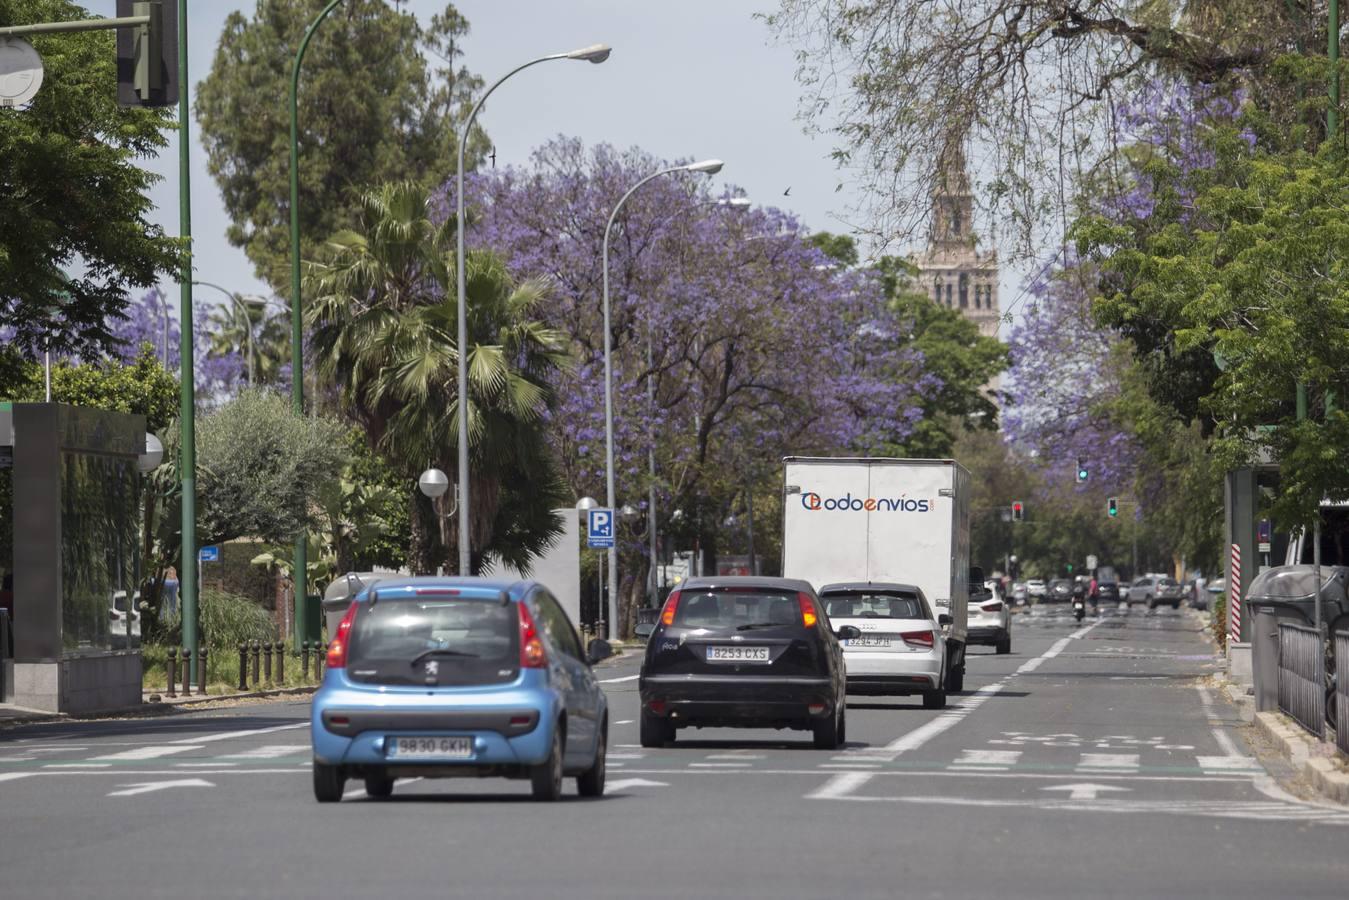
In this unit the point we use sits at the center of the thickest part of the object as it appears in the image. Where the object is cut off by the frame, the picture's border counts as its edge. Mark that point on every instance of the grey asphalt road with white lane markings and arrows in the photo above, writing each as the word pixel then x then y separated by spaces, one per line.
pixel 1092 762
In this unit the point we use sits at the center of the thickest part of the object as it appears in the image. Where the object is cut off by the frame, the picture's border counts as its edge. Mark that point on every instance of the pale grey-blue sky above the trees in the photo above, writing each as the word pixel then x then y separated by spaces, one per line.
pixel 694 79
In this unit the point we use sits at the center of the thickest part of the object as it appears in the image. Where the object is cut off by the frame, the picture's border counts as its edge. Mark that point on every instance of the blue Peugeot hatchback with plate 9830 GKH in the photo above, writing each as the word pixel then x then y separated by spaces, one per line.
pixel 459 677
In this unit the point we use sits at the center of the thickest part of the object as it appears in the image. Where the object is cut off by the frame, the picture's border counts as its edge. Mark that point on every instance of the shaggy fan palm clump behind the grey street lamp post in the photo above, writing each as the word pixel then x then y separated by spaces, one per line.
pixel 384 325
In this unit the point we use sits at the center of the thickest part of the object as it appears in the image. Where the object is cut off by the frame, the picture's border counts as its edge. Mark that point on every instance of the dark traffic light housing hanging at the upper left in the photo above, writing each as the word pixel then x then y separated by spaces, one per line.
pixel 148 56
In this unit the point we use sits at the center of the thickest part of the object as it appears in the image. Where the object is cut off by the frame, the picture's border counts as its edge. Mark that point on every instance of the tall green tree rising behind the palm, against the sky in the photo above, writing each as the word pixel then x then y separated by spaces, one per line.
pixel 373 109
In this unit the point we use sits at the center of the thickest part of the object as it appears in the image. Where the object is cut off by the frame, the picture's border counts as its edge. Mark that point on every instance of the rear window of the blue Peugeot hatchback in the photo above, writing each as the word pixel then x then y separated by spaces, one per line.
pixel 435 642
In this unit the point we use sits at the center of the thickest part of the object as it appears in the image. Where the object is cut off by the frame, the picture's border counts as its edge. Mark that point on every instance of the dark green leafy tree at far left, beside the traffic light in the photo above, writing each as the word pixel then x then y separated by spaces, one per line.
pixel 76 192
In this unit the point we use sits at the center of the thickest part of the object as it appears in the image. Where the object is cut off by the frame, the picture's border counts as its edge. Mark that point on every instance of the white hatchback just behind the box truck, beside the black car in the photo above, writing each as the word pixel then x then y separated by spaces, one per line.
pixel 902 650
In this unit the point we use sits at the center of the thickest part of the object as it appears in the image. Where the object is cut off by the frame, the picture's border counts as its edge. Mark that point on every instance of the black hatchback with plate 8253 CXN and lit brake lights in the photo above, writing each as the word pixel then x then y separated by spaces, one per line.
pixel 744 652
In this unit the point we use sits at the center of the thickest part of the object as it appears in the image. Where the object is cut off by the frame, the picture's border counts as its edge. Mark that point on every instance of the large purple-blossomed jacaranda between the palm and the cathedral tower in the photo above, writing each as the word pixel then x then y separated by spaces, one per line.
pixel 755 345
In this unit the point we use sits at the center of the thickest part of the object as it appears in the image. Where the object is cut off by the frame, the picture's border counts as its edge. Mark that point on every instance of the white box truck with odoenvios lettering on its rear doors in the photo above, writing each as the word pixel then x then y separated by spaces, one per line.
pixel 898 522
